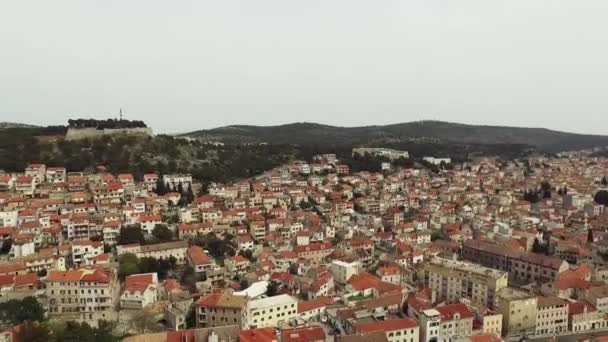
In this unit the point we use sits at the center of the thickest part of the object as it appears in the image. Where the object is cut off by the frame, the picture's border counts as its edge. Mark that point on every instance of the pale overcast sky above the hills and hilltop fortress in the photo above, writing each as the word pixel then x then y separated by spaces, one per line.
pixel 186 65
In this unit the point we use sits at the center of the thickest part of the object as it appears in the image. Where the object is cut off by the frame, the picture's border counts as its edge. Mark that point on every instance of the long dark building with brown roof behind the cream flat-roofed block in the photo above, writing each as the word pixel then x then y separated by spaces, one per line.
pixel 520 265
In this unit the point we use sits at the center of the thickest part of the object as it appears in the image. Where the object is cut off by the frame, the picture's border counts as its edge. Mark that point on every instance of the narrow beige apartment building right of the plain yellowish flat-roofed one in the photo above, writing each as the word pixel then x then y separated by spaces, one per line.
pixel 551 316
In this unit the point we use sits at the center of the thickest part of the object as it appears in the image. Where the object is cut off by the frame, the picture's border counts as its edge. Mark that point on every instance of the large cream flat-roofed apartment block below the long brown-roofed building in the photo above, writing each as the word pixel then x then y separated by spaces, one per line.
pixel 453 280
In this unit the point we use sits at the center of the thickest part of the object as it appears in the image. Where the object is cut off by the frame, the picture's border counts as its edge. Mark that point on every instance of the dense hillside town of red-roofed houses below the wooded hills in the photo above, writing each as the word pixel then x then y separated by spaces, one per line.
pixel 482 251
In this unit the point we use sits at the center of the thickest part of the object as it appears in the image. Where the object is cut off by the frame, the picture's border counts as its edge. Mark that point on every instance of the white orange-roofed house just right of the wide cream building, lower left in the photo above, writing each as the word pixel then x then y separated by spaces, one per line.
pixel 139 291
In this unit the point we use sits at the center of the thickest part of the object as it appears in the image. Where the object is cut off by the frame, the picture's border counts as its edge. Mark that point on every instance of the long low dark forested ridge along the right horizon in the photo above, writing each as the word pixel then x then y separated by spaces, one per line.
pixel 419 131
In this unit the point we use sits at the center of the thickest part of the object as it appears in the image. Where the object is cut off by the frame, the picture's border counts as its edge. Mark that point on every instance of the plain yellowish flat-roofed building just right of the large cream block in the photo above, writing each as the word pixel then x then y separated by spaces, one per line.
pixel 518 309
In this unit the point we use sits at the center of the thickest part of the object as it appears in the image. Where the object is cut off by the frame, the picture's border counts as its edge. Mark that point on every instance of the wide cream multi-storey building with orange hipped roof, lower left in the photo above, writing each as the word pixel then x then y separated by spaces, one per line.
pixel 83 294
